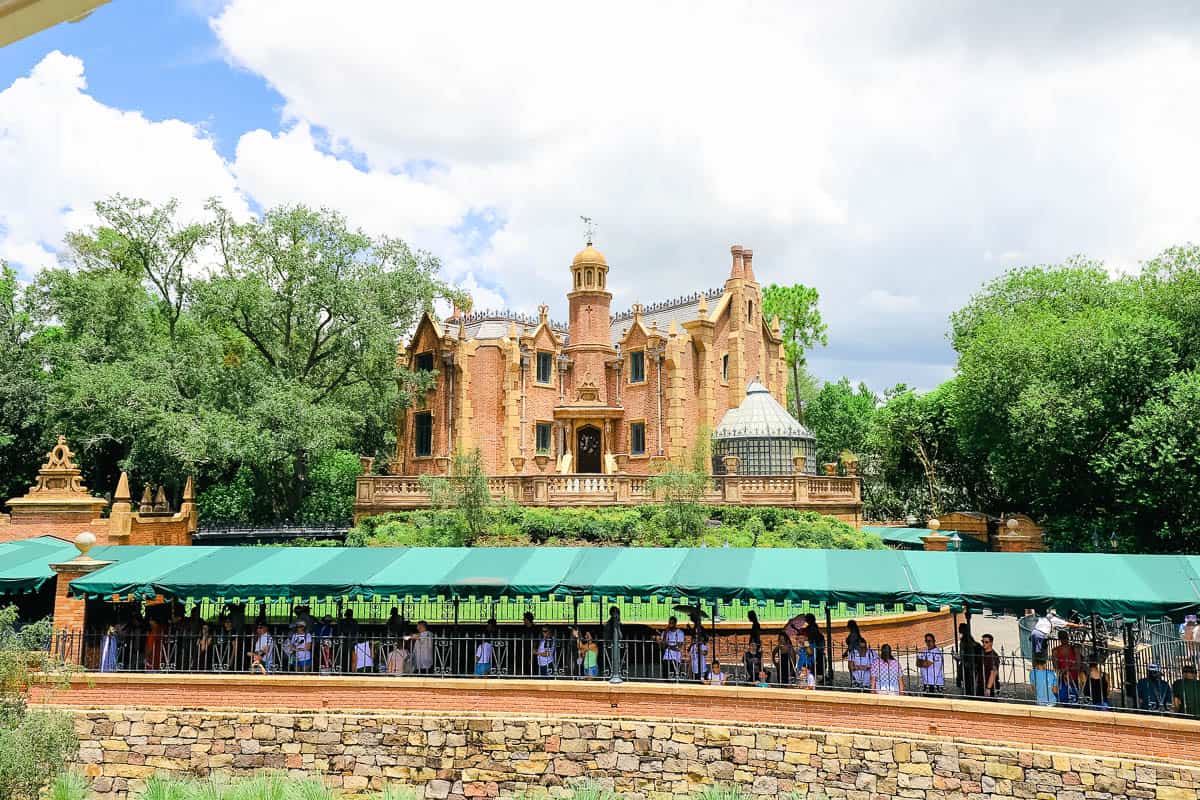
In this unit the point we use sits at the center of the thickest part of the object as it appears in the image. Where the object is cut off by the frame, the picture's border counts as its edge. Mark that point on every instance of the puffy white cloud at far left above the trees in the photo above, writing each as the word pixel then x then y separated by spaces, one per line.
pixel 61 152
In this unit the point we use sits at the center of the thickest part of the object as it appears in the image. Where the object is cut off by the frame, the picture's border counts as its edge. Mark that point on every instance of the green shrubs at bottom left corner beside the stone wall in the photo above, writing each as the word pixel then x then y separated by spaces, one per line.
pixel 35 743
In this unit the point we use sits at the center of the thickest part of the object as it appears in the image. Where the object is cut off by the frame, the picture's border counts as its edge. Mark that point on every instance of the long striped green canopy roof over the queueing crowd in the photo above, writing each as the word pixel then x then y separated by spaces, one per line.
pixel 1109 585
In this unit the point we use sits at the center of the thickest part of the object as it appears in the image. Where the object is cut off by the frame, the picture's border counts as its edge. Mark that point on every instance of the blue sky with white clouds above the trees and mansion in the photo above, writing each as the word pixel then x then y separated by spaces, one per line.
pixel 893 155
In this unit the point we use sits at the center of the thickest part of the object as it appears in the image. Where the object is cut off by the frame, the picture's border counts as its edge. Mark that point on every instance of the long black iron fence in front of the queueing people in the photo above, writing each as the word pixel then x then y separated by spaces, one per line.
pixel 1119 681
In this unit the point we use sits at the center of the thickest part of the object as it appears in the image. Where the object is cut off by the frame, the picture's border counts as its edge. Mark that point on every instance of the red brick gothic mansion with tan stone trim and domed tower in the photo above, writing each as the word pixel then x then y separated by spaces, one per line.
pixel 604 394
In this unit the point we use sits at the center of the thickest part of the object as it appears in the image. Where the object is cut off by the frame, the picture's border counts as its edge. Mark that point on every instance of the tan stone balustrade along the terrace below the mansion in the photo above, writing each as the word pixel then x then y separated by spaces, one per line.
pixel 837 496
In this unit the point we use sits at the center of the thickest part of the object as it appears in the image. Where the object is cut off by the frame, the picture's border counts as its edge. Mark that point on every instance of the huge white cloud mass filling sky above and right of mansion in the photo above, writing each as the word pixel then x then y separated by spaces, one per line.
pixel 873 152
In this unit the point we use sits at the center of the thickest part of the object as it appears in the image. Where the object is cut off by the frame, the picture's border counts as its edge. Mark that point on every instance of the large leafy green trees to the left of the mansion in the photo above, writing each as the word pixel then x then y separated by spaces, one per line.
pixel 257 356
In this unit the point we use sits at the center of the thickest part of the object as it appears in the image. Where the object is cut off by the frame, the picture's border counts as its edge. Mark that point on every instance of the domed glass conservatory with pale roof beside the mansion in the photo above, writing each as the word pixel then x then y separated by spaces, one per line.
pixel 764 437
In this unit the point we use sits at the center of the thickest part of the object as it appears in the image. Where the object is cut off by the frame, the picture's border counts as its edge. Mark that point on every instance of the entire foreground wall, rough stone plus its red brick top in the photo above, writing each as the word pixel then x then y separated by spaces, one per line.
pixel 506 737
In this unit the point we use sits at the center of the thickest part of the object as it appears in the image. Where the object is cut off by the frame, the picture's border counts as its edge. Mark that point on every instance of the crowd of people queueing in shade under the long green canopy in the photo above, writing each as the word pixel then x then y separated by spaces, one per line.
pixel 799 655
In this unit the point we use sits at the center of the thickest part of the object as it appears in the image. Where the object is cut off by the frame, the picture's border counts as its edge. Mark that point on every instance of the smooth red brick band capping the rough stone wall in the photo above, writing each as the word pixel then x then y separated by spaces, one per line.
pixel 1028 727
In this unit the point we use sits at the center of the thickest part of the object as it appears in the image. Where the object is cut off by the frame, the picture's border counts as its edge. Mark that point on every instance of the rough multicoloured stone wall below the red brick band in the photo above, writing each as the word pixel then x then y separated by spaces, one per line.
pixel 485 756
